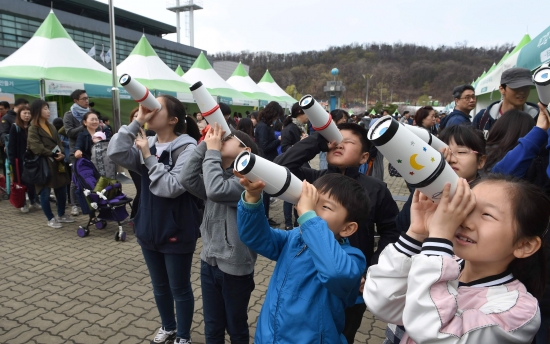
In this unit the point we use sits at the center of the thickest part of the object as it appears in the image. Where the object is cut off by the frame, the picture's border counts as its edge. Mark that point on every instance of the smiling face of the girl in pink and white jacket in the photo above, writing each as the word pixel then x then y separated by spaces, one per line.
pixel 491 227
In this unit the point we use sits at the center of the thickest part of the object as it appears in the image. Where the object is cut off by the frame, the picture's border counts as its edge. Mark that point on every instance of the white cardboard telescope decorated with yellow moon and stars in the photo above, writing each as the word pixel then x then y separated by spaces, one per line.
pixel 420 164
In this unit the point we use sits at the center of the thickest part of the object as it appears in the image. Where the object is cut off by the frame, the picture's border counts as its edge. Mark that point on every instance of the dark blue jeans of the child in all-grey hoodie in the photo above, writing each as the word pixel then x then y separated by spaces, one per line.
pixel 225 300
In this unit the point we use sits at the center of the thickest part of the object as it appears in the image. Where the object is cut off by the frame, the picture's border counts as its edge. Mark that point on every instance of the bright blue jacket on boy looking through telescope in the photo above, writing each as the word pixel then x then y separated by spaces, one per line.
pixel 316 277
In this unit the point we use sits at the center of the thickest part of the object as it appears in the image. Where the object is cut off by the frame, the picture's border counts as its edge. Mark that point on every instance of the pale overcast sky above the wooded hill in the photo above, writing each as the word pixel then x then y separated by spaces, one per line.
pixel 297 25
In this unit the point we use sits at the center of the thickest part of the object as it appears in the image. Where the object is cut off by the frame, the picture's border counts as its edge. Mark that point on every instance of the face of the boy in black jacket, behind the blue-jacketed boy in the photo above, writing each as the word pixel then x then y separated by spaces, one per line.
pixel 348 152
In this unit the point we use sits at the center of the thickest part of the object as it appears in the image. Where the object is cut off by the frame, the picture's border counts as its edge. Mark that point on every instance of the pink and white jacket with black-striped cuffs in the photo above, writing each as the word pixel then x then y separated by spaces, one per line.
pixel 416 285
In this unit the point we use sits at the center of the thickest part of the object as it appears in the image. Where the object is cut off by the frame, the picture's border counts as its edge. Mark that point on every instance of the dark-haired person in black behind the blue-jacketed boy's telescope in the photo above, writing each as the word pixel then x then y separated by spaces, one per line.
pixel 267 142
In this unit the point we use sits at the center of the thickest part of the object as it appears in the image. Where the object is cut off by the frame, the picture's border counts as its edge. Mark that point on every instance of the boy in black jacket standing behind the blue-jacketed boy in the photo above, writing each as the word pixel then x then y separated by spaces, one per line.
pixel 346 158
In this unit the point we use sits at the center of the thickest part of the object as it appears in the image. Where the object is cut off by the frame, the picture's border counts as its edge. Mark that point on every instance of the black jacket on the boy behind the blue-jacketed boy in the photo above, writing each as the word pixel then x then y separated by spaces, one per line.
pixel 383 208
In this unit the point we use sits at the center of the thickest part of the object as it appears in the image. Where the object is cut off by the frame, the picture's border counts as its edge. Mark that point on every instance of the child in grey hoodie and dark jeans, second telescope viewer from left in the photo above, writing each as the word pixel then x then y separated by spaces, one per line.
pixel 227 265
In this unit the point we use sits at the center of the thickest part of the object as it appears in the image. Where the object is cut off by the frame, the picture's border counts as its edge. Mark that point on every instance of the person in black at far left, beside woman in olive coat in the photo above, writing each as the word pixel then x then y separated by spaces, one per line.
pixel 17 146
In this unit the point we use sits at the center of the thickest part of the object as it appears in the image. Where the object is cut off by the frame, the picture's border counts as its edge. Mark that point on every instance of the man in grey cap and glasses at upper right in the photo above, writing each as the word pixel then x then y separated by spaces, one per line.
pixel 515 86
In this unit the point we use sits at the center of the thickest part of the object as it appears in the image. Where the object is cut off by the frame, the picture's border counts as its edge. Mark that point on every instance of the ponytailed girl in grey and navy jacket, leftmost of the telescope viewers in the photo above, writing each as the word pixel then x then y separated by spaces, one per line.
pixel 167 223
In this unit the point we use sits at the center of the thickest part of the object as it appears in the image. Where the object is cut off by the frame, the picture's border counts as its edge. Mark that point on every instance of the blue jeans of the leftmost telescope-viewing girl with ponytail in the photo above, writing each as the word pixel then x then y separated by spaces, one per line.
pixel 171 279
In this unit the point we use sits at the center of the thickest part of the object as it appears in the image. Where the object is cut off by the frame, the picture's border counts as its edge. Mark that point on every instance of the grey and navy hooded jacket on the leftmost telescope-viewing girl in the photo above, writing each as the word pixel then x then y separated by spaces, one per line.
pixel 168 217
